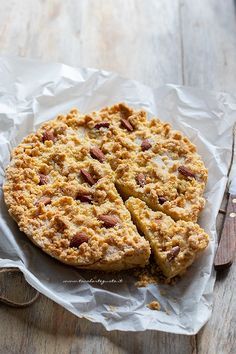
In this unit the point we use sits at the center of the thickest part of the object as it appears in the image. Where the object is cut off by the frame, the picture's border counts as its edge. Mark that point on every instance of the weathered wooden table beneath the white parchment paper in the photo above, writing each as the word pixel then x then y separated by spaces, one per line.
pixel 190 42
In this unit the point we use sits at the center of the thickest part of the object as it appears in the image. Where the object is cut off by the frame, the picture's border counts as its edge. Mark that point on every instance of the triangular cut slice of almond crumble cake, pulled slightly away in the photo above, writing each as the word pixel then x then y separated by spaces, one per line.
pixel 175 245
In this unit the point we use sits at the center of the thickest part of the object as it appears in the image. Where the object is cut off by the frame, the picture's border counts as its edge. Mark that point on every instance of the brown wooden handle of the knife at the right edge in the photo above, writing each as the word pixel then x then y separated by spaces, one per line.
pixel 225 252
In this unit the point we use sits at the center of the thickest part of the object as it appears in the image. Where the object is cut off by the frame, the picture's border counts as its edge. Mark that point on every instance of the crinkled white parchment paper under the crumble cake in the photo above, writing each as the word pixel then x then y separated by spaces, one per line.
pixel 33 92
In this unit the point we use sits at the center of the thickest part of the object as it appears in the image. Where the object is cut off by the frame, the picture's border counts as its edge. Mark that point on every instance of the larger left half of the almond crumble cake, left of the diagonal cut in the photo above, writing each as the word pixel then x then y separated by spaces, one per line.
pixel 63 197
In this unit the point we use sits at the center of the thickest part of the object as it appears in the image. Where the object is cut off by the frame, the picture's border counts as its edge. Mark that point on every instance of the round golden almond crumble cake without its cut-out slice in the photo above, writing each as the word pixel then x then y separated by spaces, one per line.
pixel 61 184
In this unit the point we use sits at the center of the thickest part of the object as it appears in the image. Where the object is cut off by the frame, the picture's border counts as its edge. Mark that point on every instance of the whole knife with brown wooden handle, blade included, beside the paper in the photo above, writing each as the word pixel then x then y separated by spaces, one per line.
pixel 226 248
